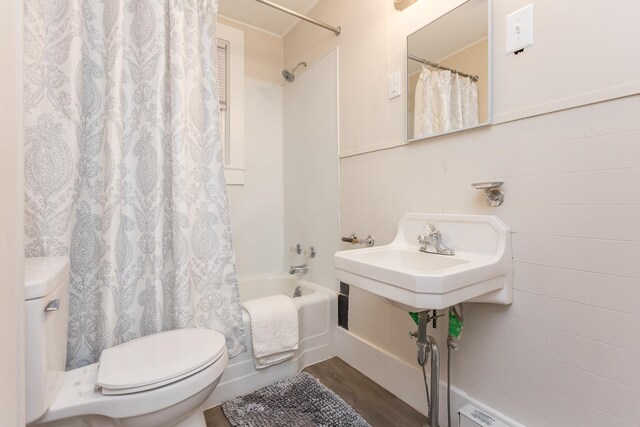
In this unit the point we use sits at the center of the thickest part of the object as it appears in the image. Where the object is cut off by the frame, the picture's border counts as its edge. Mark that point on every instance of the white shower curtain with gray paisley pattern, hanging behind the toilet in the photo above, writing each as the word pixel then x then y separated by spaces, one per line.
pixel 123 168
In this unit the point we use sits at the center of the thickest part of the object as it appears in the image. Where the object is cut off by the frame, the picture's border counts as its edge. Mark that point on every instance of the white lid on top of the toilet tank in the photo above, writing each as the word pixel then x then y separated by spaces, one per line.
pixel 42 275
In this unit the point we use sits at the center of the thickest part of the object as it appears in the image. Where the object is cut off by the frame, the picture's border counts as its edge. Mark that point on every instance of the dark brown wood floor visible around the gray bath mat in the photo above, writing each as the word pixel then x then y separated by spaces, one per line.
pixel 379 407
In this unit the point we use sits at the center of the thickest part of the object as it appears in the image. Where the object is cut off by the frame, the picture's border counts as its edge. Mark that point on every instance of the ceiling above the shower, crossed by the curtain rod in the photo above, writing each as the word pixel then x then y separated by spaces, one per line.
pixel 262 16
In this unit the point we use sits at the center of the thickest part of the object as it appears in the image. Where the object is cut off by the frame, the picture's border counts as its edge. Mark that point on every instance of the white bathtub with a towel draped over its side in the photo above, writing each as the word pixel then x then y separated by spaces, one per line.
pixel 317 319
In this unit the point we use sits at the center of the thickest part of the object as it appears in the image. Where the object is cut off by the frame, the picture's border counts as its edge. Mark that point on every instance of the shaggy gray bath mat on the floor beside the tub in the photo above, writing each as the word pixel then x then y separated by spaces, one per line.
pixel 301 401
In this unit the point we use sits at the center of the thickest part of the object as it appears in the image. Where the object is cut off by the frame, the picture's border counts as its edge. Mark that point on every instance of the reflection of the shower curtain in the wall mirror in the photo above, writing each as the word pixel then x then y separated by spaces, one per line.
pixel 444 102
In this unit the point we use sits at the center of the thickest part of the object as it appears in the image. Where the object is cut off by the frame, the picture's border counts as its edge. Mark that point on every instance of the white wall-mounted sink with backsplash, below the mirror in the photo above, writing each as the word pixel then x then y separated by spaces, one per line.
pixel 480 271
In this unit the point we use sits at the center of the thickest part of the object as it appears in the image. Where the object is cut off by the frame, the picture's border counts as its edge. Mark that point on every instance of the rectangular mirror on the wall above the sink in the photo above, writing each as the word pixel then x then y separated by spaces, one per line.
pixel 449 73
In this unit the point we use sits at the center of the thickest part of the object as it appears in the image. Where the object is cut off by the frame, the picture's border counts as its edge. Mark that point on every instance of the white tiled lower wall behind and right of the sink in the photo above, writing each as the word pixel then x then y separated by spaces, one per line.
pixel 569 345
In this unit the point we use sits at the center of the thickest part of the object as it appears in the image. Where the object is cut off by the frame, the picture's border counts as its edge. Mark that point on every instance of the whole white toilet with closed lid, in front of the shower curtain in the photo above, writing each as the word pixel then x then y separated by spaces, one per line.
pixel 157 380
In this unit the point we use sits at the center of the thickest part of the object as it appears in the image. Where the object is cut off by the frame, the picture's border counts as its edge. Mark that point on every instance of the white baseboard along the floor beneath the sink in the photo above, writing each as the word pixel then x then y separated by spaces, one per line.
pixel 402 379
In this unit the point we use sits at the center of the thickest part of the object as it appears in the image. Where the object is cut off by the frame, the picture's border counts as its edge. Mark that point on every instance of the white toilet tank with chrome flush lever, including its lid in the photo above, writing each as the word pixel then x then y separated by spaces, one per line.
pixel 46 319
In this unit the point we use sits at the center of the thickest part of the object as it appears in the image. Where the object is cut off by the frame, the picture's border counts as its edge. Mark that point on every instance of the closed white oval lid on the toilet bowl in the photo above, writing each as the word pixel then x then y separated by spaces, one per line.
pixel 159 359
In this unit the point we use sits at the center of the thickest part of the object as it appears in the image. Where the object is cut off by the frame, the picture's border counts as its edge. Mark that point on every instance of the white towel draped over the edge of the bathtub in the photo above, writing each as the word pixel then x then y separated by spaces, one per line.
pixel 274 329
